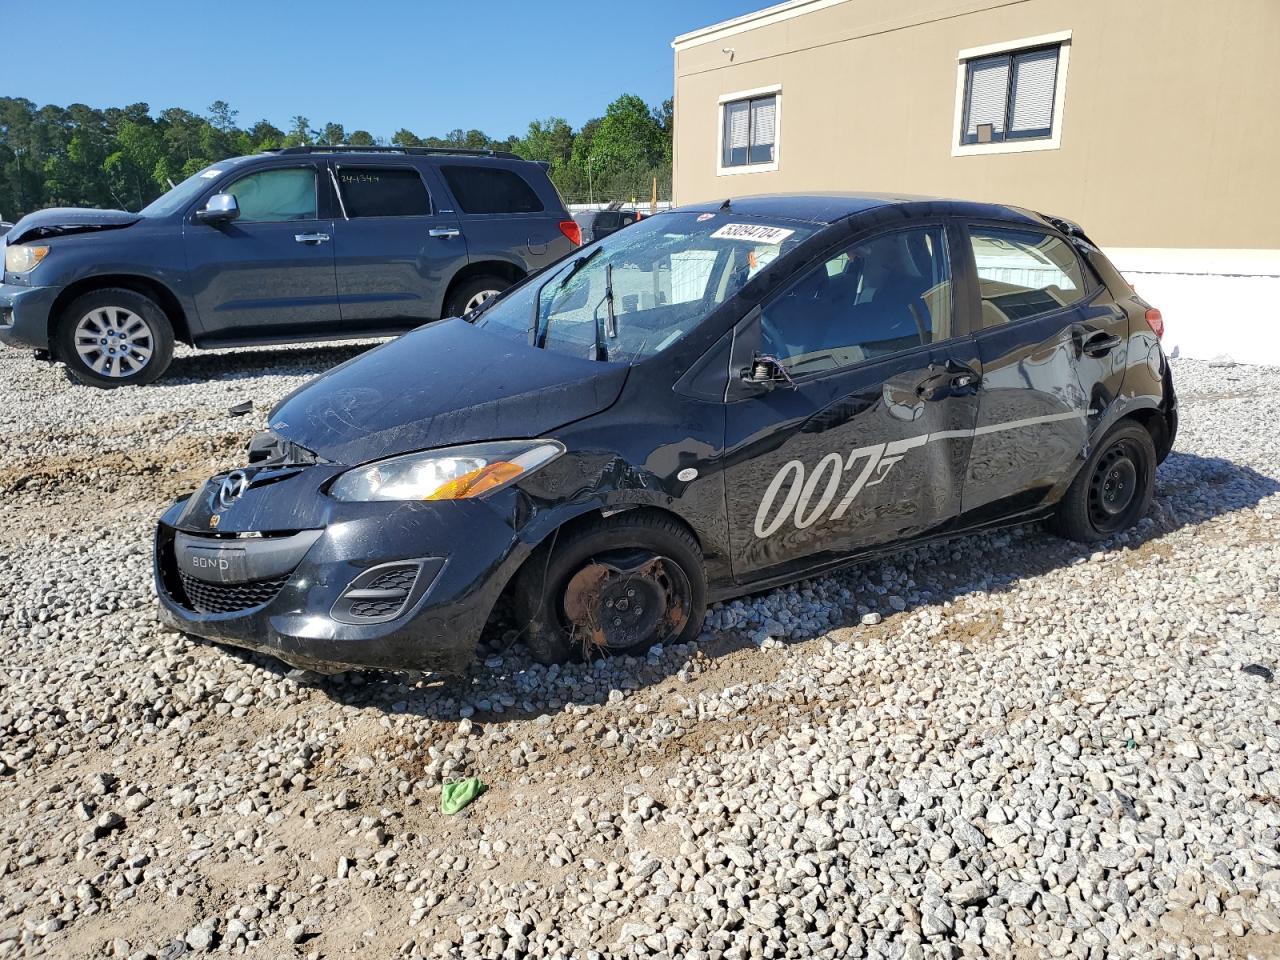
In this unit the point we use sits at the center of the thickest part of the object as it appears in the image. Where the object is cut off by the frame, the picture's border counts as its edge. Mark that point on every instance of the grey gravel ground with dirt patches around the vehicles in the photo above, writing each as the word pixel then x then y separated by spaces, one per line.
pixel 1000 747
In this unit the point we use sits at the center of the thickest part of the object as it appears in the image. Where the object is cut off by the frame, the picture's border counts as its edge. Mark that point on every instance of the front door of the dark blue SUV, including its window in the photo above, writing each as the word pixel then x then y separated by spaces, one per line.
pixel 271 272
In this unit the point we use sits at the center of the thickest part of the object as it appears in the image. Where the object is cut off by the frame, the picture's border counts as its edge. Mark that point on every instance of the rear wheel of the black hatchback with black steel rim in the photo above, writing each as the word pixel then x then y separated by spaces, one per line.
pixel 1114 488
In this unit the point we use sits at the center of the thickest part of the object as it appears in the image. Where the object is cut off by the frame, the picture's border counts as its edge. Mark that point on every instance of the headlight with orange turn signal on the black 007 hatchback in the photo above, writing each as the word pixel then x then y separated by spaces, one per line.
pixel 450 474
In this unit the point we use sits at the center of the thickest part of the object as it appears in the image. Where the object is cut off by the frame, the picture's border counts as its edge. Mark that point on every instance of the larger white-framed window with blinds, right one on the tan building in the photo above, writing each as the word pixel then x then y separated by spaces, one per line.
pixel 1011 97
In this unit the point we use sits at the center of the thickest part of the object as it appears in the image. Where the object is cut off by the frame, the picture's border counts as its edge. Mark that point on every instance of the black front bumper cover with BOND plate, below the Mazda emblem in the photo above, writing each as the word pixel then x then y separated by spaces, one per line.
pixel 299 609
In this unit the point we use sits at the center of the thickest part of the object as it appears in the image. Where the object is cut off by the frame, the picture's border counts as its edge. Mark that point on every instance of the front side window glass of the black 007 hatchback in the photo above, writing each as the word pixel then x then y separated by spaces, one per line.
pixel 877 298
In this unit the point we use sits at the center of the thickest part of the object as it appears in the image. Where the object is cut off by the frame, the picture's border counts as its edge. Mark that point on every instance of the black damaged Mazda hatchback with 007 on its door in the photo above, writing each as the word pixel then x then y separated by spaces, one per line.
pixel 714 401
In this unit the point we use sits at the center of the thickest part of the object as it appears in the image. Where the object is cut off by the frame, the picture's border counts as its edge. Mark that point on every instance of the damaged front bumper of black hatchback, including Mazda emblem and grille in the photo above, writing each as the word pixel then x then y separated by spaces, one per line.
pixel 332 587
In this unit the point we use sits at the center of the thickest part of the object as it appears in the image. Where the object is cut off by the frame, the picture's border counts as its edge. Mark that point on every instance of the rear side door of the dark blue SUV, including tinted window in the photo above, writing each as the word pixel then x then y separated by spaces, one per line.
pixel 396 252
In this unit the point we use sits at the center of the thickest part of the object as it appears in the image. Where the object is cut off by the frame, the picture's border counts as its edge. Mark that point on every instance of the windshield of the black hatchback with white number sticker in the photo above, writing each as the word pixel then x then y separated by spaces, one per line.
pixel 661 277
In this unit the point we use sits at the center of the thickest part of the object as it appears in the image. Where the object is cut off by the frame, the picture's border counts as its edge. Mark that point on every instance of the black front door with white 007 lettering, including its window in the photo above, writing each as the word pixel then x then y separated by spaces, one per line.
pixel 865 433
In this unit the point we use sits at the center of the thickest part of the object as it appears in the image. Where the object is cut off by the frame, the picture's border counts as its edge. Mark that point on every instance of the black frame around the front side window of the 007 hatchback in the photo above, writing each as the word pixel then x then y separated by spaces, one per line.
pixel 954 244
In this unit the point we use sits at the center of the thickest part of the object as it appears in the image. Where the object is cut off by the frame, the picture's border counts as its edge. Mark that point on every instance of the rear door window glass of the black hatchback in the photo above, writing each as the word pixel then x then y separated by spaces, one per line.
pixel 1023 275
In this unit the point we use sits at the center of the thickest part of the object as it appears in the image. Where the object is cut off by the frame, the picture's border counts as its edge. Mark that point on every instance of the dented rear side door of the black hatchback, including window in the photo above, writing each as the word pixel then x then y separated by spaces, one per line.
pixel 1052 346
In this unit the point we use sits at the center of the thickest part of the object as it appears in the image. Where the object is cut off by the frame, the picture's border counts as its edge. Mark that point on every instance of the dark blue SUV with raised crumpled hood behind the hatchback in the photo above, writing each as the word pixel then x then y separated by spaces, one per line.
pixel 305 244
